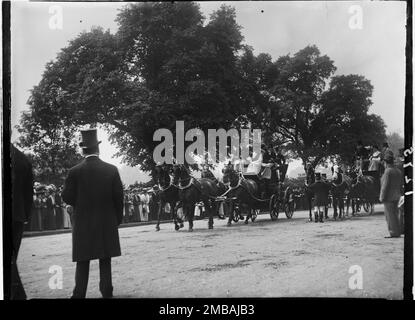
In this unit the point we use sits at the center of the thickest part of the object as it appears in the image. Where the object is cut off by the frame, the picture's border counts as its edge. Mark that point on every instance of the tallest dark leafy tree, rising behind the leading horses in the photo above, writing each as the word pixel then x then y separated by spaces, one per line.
pixel 188 67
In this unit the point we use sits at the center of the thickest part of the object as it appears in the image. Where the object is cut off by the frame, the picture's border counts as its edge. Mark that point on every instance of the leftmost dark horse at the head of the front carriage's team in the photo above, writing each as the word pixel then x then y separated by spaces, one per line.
pixel 168 193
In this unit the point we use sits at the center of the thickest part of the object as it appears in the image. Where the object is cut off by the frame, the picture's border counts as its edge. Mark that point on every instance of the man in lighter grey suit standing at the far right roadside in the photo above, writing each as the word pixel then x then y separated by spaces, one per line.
pixel 390 192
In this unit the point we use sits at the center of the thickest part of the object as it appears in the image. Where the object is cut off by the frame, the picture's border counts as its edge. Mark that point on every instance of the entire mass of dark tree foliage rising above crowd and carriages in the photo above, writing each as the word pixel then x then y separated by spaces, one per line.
pixel 167 62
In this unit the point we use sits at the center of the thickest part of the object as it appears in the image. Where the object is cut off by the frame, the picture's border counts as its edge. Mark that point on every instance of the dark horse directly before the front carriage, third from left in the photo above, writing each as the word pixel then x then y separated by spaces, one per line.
pixel 244 191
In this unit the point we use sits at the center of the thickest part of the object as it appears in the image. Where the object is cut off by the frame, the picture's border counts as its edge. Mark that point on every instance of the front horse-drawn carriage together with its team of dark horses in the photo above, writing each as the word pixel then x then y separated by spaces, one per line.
pixel 240 193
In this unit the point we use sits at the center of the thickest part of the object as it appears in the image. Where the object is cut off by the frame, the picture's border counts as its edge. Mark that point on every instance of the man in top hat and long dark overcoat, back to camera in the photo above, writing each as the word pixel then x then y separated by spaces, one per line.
pixel 94 189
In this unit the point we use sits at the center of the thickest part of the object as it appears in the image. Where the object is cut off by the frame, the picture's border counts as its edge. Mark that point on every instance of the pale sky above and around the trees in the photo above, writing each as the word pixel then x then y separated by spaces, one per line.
pixel 376 50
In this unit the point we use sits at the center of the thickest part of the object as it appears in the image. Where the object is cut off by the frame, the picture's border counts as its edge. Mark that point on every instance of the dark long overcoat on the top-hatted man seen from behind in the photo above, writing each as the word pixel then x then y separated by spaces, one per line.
pixel 94 189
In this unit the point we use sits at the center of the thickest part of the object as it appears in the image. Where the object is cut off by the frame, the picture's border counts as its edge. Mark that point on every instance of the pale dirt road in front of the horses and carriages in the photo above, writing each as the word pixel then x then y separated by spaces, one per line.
pixel 293 258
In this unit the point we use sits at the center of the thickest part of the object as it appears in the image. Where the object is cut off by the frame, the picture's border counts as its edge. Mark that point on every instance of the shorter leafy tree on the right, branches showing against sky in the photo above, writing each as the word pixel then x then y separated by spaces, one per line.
pixel 313 113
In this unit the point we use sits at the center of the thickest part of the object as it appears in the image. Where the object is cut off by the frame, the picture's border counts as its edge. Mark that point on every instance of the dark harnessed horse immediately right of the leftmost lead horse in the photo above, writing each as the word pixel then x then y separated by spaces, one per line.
pixel 192 191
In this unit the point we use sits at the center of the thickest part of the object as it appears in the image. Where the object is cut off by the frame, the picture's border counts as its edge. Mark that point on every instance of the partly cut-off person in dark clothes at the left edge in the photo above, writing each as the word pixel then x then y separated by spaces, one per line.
pixel 22 200
